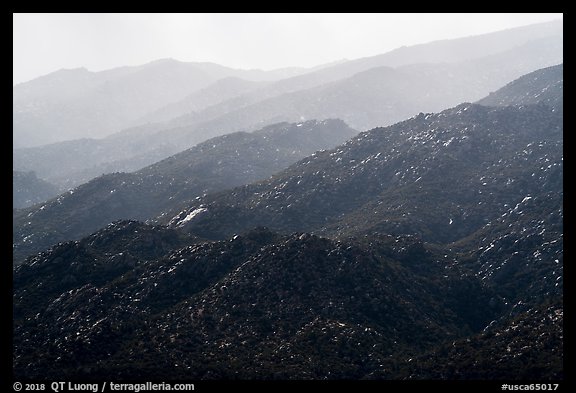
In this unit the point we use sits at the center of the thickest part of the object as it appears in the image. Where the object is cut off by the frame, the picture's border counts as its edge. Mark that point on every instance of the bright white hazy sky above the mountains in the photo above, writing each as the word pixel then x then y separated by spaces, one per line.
pixel 43 43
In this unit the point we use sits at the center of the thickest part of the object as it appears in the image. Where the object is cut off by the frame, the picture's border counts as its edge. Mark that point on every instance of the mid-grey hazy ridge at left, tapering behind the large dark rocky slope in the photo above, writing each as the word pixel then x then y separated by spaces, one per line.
pixel 217 164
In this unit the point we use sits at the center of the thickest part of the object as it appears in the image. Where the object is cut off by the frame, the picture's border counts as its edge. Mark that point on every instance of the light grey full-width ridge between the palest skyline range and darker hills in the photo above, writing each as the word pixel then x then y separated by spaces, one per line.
pixel 377 97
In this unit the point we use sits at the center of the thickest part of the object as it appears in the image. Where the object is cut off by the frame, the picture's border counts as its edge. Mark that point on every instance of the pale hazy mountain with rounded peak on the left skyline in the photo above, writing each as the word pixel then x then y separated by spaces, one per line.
pixel 77 103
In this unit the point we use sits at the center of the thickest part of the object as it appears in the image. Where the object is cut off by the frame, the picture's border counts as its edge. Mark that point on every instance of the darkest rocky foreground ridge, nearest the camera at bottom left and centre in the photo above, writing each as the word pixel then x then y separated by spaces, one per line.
pixel 257 306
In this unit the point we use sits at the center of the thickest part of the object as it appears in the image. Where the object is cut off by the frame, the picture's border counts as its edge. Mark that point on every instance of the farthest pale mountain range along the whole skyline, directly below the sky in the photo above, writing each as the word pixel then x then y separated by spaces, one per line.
pixel 75 104
